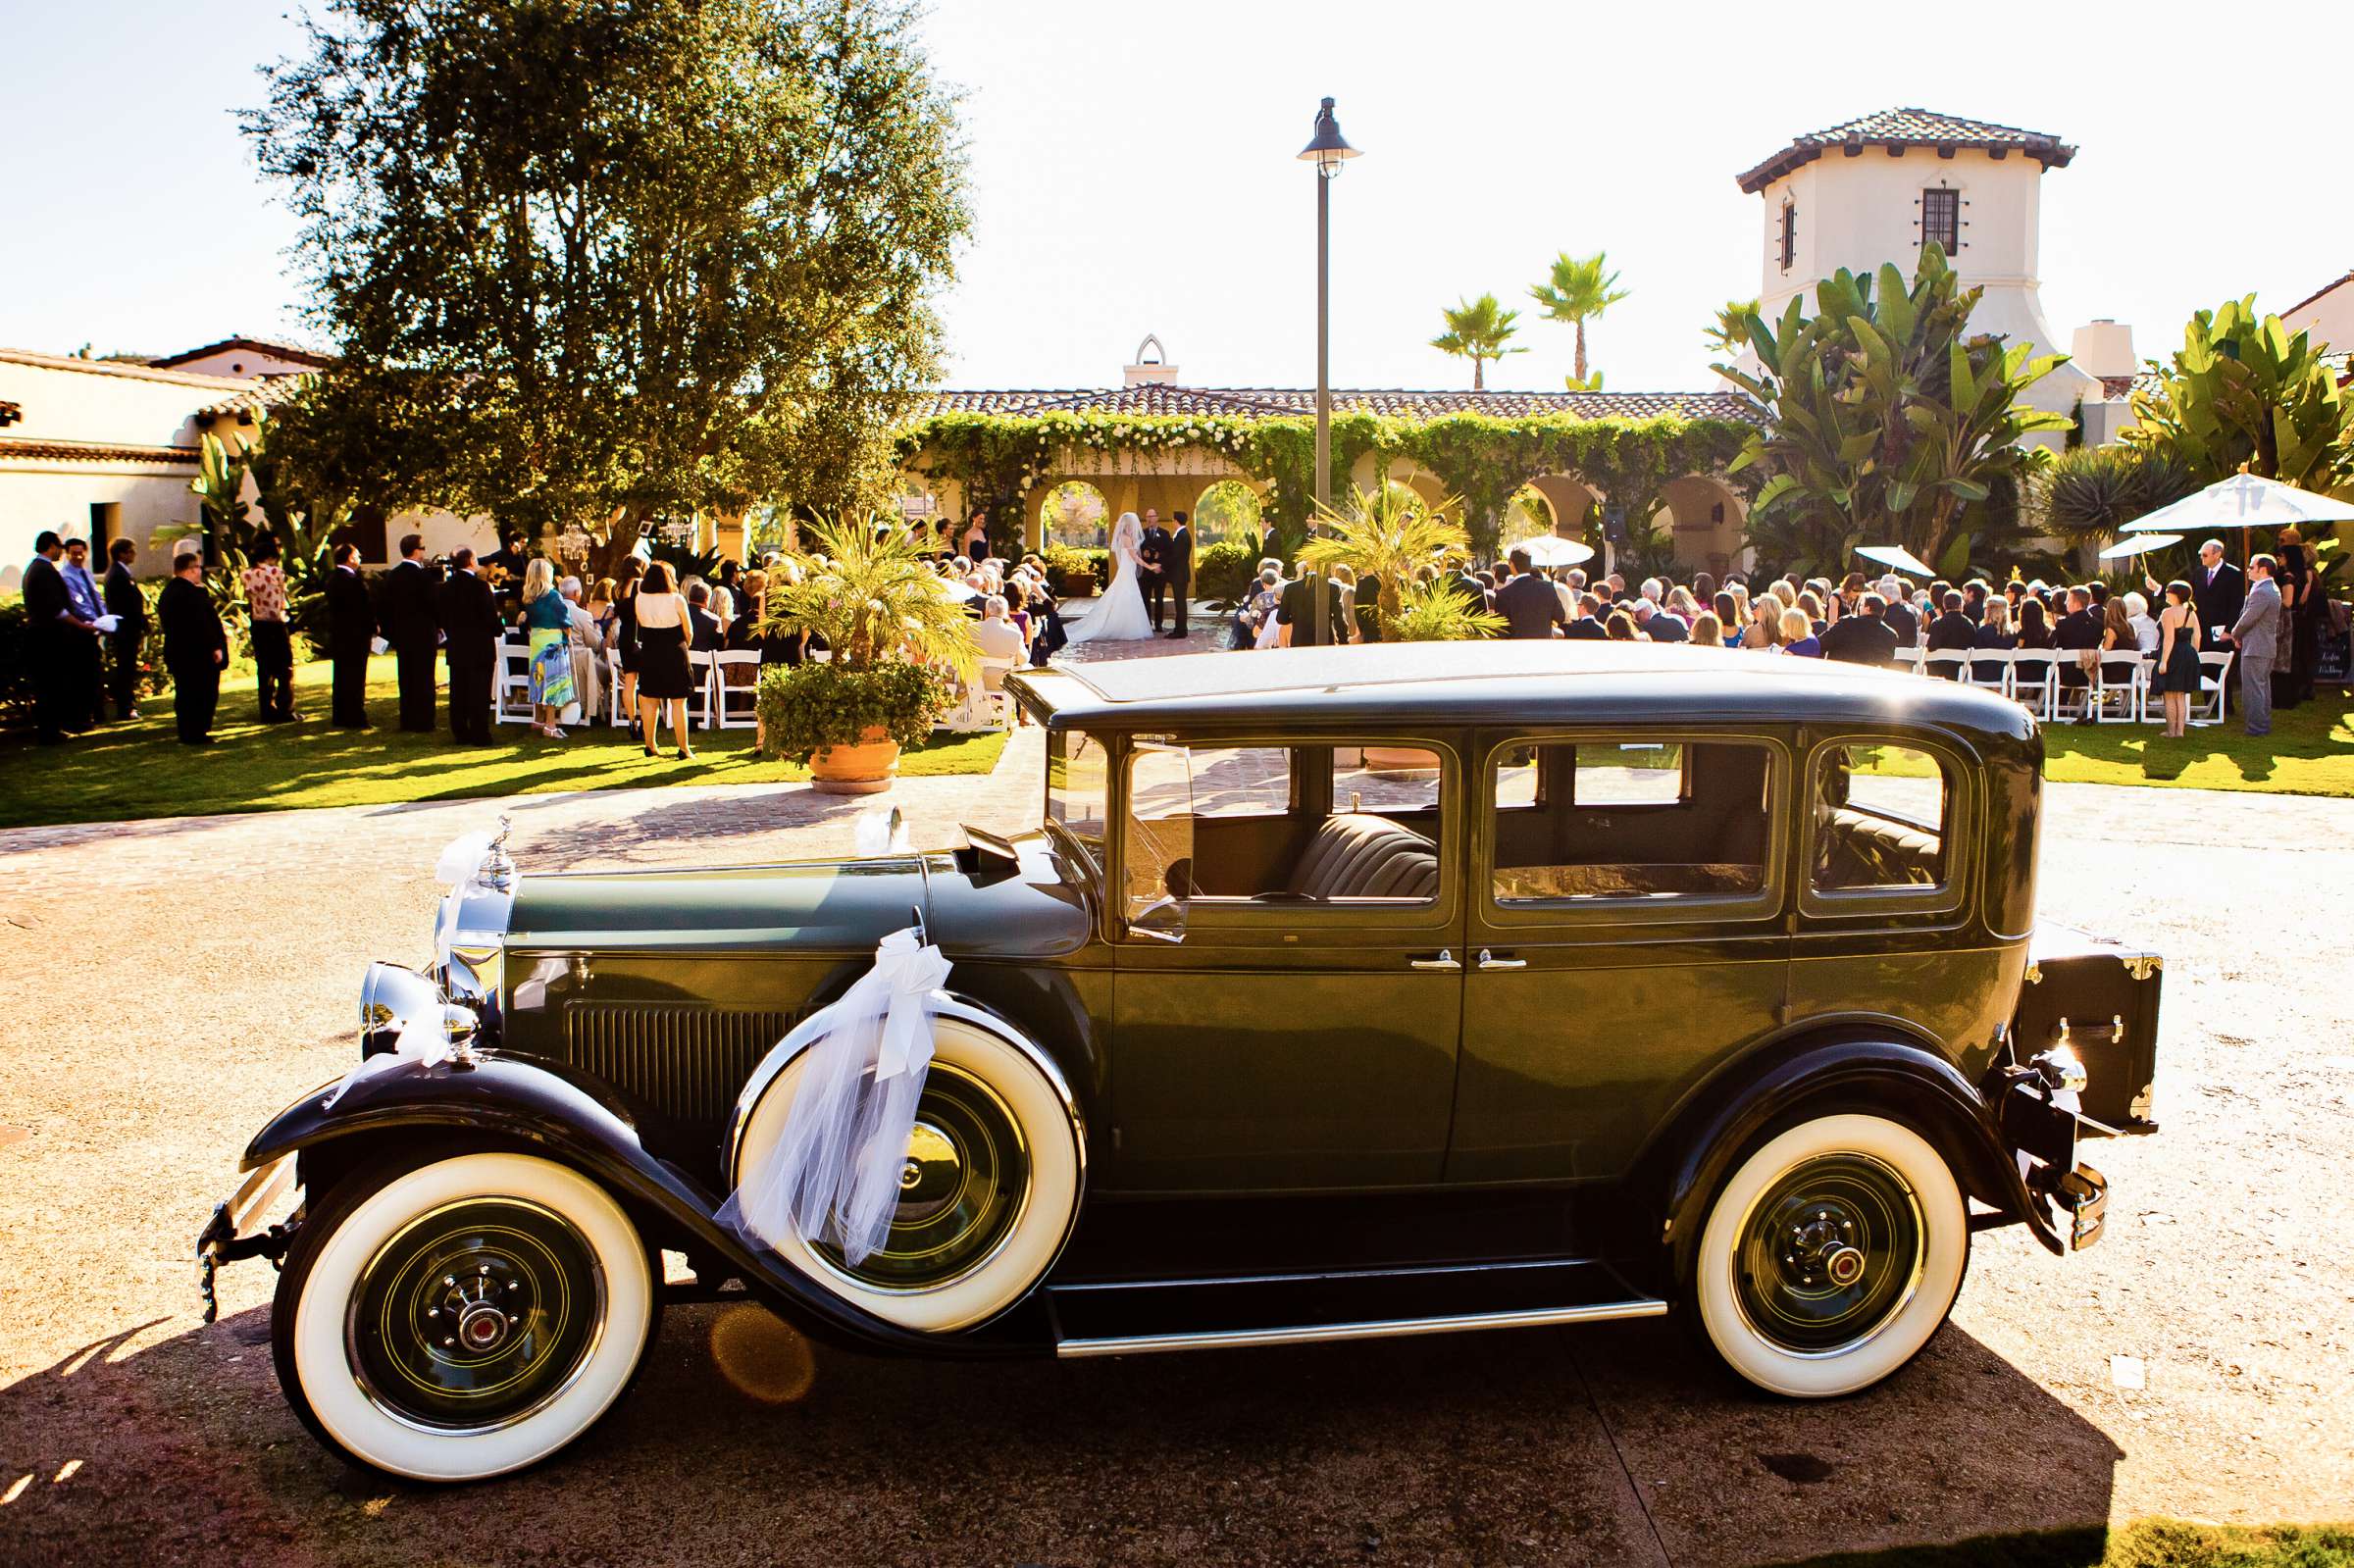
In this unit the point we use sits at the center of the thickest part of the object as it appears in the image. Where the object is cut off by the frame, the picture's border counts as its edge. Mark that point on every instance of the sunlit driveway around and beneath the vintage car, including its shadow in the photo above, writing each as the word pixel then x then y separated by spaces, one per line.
pixel 168 985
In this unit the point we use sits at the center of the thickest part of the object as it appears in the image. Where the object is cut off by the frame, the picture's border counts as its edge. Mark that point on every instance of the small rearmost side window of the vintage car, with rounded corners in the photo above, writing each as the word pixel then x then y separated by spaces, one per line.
pixel 1882 818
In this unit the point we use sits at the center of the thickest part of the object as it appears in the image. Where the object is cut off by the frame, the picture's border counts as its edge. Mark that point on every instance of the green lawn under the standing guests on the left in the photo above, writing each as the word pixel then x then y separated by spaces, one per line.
pixel 142 771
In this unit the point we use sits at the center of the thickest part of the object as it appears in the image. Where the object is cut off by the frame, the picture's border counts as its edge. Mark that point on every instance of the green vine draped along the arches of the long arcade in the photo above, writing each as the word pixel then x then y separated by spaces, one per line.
pixel 1479 458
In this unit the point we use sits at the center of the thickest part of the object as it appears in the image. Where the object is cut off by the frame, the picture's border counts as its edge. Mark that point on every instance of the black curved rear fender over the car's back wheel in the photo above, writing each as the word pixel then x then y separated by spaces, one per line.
pixel 1849 1068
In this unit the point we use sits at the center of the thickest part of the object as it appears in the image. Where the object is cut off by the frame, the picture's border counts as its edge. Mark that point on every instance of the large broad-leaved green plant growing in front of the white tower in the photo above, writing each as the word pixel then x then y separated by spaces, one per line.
pixel 1884 420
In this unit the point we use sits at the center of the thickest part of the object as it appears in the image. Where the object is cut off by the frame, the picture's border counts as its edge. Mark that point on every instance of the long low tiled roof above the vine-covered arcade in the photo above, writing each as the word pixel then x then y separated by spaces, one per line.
pixel 1279 401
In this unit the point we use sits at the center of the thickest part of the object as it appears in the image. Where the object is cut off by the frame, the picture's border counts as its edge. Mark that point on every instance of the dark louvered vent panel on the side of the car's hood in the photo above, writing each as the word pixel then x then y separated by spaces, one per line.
pixel 681 1061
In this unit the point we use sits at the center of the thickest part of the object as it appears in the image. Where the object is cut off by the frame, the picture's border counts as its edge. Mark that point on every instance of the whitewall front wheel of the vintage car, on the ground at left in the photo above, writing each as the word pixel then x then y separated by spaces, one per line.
pixel 465 1317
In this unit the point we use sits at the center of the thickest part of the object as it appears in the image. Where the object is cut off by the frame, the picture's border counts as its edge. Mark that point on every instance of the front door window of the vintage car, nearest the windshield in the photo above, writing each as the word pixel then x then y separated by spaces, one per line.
pixel 1294 825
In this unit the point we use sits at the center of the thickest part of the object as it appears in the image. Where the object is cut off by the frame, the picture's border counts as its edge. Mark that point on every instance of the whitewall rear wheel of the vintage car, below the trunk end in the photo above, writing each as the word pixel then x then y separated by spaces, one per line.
pixel 1830 1256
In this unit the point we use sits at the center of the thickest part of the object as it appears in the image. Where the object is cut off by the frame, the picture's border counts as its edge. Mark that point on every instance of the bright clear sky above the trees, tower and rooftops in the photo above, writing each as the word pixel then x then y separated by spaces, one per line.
pixel 1133 171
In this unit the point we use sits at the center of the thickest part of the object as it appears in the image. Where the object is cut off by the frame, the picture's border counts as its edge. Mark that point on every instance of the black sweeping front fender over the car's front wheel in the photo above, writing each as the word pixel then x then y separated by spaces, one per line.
pixel 580 1124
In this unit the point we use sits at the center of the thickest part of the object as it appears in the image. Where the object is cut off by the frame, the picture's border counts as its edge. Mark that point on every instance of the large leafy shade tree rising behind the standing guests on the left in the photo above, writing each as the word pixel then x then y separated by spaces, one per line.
pixel 611 260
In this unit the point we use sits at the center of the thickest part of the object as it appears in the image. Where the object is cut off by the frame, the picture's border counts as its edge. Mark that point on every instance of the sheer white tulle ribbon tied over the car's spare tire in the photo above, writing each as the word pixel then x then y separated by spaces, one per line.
pixel 834 1174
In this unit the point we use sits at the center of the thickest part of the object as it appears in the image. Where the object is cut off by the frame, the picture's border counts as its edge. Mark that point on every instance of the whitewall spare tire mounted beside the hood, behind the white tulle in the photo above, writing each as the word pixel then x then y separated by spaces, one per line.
pixel 988 1197
